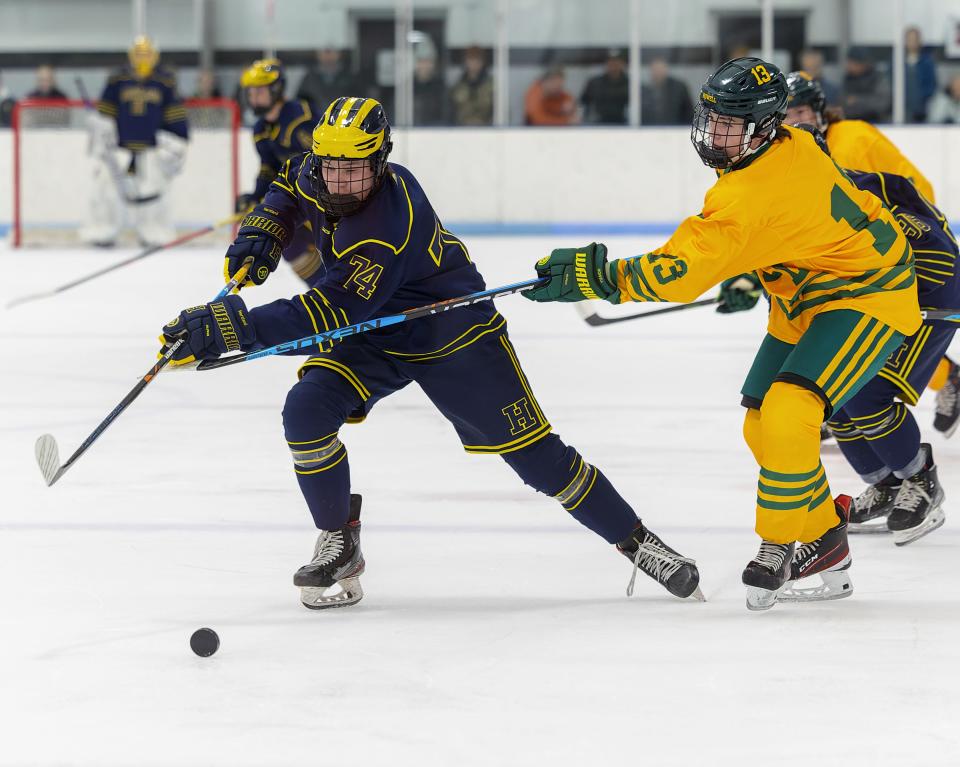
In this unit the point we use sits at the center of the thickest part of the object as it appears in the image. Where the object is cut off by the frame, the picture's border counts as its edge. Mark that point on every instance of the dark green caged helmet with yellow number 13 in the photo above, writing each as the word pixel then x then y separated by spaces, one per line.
pixel 744 101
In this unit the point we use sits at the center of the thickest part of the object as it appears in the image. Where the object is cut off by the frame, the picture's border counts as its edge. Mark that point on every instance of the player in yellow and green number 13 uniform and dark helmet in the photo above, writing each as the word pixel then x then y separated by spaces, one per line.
pixel 840 276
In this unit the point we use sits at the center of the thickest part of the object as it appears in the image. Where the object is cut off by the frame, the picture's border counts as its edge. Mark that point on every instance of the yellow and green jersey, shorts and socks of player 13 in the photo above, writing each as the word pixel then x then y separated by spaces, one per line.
pixel 840 275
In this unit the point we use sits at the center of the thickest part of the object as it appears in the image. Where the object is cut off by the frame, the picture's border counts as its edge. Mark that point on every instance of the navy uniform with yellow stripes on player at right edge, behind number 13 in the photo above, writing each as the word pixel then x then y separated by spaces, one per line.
pixel 875 430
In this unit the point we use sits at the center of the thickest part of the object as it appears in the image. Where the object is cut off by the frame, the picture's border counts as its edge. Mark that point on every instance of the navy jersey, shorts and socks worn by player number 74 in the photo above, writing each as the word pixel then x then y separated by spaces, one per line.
pixel 391 255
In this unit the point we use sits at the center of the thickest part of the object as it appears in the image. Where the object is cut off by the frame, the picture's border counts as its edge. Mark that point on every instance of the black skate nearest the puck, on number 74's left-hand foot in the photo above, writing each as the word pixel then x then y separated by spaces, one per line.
pixel 337 560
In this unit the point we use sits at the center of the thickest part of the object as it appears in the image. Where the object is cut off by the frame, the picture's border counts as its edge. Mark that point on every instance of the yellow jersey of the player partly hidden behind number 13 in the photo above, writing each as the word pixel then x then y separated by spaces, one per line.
pixel 858 145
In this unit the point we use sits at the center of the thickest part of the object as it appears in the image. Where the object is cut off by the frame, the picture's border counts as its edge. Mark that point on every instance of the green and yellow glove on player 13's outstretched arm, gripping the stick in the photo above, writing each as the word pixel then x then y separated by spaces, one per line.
pixel 576 274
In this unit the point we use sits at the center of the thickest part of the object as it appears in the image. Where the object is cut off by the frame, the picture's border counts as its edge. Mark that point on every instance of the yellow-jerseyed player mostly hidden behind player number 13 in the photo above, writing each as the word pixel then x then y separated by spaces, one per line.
pixel 858 145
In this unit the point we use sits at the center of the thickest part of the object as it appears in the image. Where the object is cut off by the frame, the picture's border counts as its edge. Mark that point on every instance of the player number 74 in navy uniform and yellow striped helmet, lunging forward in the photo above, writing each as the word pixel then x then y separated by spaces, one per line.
pixel 385 250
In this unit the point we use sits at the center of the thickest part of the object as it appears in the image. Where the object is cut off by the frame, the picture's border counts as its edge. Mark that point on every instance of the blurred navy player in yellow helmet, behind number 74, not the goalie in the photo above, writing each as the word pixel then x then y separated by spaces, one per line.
pixel 283 129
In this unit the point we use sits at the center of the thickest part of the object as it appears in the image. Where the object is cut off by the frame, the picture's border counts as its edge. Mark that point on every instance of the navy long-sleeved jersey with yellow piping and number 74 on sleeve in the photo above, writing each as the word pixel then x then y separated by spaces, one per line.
pixel 392 255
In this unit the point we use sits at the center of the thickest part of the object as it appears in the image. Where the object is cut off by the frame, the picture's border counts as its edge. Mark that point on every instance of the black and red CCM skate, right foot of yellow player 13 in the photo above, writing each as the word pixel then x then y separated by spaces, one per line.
pixel 828 557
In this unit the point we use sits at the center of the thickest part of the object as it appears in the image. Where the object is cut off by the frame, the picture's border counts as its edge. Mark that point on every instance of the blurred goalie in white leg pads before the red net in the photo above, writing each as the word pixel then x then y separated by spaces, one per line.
pixel 139 142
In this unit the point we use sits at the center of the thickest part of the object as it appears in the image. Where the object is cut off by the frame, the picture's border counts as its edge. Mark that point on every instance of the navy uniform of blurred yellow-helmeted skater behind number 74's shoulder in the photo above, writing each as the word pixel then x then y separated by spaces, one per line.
pixel 276 142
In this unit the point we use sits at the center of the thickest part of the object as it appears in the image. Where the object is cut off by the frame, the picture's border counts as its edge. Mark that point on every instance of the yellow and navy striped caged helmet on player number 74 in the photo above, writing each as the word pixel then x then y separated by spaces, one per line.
pixel 349 158
